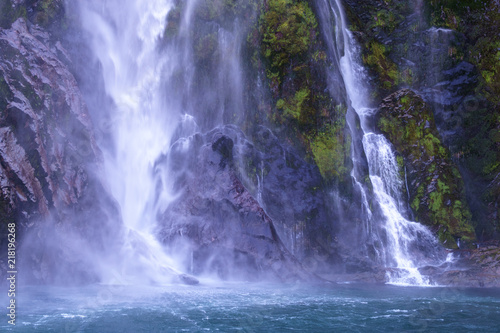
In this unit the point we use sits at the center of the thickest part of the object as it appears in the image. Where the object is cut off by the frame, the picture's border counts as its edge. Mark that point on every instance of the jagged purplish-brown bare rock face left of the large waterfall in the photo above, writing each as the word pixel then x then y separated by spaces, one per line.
pixel 48 153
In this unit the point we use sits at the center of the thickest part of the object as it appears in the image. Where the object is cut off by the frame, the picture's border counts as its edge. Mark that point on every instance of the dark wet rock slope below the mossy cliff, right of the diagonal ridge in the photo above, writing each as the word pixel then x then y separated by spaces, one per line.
pixel 292 193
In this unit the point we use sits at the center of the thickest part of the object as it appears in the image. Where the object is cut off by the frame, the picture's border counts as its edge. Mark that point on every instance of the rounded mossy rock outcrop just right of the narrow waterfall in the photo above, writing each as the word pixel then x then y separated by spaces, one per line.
pixel 435 187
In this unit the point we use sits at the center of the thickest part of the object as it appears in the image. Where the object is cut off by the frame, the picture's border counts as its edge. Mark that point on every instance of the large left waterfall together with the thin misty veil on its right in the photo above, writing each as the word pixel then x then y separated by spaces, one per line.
pixel 154 74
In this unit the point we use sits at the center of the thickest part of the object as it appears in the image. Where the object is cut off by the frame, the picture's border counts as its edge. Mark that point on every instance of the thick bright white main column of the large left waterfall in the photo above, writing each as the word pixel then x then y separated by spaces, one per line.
pixel 124 37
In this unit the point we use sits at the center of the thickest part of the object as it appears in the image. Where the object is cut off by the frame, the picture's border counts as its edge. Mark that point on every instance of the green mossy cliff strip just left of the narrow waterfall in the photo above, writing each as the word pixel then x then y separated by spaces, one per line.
pixel 294 61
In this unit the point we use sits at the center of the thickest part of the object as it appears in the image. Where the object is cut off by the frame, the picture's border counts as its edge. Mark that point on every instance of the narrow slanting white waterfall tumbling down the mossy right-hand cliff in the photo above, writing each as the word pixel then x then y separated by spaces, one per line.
pixel 402 241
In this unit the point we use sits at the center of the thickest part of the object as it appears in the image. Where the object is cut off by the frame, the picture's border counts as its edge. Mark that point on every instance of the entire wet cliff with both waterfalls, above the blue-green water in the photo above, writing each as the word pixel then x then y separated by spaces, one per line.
pixel 169 141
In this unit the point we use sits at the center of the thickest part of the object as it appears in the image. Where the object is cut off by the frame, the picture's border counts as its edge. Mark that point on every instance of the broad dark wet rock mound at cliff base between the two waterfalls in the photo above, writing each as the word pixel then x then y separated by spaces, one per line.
pixel 233 221
